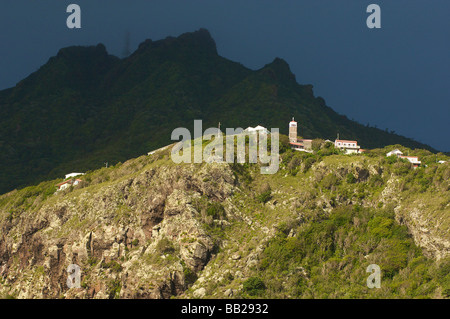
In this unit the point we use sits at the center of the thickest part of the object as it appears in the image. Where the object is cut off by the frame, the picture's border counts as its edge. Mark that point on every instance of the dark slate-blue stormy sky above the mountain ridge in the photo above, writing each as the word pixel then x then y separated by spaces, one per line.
pixel 396 77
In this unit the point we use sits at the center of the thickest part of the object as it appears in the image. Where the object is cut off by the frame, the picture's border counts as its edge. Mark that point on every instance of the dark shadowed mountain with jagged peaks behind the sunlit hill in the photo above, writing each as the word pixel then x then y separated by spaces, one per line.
pixel 85 107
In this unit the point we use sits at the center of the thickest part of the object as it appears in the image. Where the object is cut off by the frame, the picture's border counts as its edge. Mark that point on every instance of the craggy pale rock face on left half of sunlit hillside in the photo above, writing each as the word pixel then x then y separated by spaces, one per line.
pixel 132 238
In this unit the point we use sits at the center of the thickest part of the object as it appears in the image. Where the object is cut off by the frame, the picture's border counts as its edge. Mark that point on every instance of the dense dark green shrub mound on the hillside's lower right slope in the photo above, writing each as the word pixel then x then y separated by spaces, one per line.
pixel 330 250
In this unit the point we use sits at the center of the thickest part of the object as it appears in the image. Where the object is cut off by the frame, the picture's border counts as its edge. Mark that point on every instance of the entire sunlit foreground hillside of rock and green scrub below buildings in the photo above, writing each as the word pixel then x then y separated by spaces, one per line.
pixel 149 228
